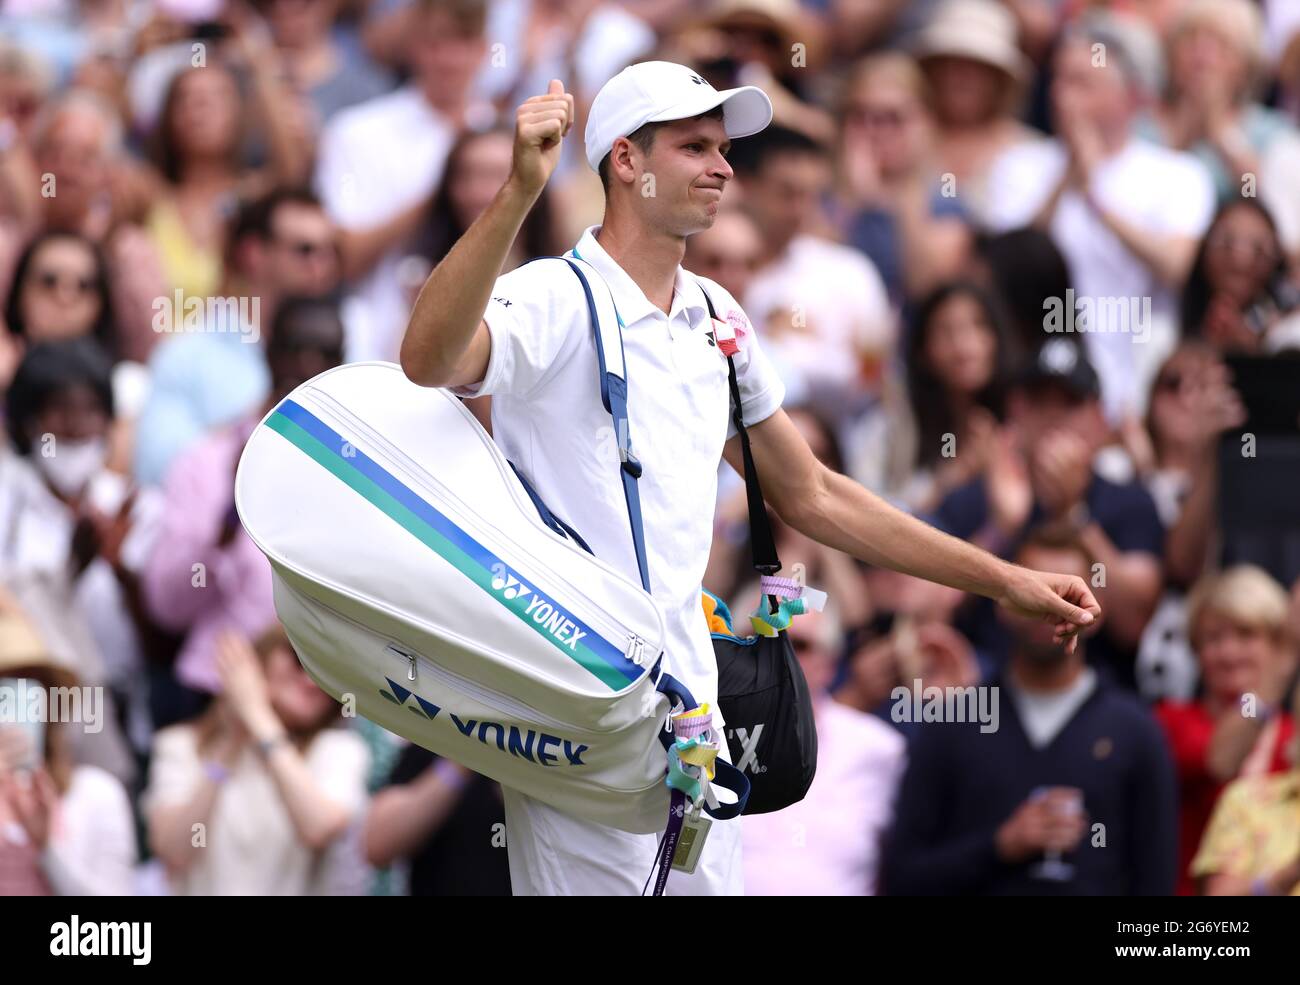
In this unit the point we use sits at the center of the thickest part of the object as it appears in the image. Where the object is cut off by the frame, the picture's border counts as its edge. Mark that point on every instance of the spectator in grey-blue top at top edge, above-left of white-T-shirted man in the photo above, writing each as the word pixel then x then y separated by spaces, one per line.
pixel 315 64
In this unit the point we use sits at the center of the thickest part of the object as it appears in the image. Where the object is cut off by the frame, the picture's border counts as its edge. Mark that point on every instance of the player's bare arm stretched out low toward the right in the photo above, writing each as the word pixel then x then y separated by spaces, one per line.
pixel 842 514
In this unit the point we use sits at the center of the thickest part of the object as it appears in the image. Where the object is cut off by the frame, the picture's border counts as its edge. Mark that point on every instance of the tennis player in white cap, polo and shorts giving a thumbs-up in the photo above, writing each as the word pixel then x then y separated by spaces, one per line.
pixel 660 145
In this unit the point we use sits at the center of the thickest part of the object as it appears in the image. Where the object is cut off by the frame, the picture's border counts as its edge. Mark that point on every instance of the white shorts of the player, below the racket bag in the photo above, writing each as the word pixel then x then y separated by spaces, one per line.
pixel 553 853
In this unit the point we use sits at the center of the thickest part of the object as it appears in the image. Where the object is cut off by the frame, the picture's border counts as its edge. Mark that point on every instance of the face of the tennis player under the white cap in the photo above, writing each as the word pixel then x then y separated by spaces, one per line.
pixel 686 175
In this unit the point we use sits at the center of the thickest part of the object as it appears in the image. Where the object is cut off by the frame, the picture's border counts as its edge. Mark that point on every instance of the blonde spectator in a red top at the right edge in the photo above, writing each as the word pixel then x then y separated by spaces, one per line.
pixel 1238 728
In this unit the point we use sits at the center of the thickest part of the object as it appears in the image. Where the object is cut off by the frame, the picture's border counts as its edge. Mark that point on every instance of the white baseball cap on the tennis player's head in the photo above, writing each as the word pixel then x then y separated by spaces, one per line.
pixel 660 92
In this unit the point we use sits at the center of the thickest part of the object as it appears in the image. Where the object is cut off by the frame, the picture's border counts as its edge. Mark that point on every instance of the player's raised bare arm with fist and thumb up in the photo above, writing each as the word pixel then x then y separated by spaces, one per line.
pixel 447 341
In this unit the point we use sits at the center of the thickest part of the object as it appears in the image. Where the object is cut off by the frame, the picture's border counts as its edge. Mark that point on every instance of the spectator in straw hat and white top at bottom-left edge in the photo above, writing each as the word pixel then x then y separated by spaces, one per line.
pixel 66 827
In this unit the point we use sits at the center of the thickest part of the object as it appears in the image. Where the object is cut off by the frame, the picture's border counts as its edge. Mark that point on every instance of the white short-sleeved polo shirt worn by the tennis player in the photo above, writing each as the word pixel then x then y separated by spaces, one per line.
pixel 549 420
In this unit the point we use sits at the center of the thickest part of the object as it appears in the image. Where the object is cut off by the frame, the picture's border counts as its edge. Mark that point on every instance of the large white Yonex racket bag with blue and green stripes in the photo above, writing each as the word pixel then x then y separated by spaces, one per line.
pixel 417 576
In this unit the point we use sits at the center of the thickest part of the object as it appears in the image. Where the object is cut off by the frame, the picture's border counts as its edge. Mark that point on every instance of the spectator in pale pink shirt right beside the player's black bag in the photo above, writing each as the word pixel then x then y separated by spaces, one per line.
pixel 829 844
